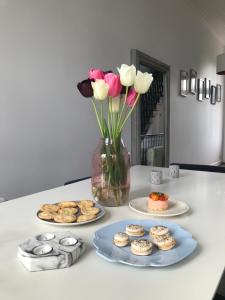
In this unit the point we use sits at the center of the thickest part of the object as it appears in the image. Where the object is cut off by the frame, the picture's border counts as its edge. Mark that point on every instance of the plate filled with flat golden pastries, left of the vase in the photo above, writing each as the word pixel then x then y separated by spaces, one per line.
pixel 67 213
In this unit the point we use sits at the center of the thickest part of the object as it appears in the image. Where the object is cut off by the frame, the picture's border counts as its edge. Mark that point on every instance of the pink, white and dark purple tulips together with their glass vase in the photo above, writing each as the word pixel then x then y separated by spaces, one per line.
pixel 114 97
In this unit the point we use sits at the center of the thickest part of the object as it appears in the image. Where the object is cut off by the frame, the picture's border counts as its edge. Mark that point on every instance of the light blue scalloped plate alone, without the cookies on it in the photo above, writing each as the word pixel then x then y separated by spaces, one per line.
pixel 107 250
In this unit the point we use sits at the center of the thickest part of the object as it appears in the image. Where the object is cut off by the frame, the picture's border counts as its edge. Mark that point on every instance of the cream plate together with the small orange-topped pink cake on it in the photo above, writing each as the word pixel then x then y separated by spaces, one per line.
pixel 159 205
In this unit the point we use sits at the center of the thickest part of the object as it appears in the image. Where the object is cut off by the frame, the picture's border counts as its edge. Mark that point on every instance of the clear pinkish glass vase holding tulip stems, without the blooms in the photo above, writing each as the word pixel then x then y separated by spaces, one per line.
pixel 111 172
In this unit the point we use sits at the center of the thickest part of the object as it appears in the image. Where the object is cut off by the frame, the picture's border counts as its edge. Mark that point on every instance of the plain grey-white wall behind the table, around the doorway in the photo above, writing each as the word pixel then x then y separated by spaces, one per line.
pixel 47 129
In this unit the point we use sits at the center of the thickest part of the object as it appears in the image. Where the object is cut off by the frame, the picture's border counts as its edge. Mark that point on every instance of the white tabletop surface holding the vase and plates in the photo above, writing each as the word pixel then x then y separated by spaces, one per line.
pixel 92 277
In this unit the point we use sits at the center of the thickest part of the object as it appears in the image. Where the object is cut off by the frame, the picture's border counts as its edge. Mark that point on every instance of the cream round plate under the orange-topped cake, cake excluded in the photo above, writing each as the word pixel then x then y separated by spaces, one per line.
pixel 176 208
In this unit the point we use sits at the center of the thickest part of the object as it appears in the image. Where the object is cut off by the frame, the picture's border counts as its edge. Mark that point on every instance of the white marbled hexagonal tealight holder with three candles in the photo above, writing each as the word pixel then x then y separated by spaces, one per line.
pixel 50 250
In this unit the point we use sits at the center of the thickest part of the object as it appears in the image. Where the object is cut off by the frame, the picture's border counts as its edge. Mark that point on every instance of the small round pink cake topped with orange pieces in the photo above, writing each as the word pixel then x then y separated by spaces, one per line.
pixel 158 201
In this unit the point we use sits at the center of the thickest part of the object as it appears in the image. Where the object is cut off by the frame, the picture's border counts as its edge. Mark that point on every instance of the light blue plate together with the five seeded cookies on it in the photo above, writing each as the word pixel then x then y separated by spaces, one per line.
pixel 144 243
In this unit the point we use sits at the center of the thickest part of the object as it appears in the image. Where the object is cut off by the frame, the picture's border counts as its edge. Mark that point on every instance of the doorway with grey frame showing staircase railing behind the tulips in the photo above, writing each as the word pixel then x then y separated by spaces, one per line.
pixel 150 121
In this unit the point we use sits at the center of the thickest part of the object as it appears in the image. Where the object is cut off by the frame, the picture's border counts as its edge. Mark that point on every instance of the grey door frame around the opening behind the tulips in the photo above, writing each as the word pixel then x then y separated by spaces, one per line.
pixel 137 58
